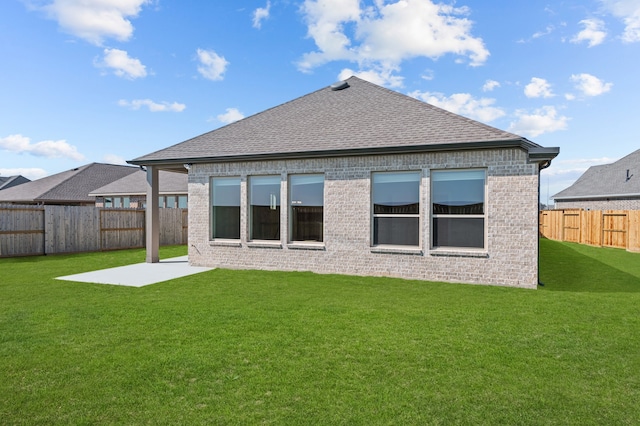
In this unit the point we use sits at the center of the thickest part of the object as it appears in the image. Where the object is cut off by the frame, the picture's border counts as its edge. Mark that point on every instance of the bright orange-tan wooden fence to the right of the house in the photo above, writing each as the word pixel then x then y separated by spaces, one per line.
pixel 608 228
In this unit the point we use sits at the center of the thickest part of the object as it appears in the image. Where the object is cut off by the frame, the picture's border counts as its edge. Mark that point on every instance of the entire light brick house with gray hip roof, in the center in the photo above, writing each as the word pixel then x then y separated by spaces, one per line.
pixel 358 179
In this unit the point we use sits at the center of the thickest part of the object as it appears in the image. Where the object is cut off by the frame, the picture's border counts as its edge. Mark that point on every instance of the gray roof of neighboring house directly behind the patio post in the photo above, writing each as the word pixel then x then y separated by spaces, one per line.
pixel 136 184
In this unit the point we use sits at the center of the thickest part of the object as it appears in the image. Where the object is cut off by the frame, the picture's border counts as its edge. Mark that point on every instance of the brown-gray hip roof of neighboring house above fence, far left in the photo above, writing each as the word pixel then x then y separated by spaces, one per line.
pixel 72 186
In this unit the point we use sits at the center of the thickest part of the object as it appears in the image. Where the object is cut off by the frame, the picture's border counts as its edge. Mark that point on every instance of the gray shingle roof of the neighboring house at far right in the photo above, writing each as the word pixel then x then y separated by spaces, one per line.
pixel 607 181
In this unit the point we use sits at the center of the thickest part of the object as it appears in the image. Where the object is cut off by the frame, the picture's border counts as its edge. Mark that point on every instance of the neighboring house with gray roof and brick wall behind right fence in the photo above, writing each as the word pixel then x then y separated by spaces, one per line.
pixel 614 186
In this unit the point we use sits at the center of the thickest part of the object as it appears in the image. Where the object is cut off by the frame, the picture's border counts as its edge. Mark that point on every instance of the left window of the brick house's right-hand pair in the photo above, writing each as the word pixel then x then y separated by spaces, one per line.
pixel 396 208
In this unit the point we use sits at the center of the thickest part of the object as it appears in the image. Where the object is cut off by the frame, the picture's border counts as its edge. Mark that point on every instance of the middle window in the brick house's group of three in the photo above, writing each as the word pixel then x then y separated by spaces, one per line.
pixel 264 205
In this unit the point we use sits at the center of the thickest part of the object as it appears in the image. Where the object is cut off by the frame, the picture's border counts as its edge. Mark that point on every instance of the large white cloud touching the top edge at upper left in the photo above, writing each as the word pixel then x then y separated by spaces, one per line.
pixel 97 20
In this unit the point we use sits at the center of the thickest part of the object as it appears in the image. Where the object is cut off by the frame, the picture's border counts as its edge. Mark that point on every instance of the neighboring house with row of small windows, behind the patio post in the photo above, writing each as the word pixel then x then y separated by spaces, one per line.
pixel 131 191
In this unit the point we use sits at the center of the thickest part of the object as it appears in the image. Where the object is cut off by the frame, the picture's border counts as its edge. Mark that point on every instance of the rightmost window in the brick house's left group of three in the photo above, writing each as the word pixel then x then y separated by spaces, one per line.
pixel 306 200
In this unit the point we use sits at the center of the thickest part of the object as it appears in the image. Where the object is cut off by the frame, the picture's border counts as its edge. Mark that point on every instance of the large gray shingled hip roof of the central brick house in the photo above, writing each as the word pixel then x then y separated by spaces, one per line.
pixel 362 118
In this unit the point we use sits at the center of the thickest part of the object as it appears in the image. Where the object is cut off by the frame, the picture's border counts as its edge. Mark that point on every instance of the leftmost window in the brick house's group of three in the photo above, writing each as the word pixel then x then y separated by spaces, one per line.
pixel 225 208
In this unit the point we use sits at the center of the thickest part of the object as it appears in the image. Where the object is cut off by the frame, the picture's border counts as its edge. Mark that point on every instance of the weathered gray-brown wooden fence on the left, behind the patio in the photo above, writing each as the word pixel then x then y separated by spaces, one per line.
pixel 37 230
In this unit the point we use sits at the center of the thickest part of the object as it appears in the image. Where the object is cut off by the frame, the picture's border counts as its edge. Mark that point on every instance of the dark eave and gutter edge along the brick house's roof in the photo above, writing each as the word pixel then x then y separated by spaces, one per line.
pixel 175 164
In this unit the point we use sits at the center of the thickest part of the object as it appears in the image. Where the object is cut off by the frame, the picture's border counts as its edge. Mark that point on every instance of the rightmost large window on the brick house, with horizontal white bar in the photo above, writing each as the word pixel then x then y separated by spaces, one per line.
pixel 458 208
